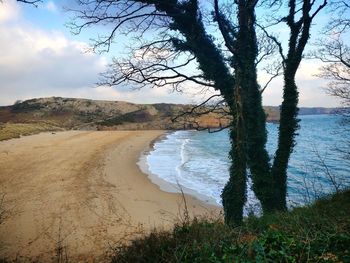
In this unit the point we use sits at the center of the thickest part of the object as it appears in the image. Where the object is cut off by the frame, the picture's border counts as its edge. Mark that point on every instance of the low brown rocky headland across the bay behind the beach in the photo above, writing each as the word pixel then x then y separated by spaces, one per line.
pixel 71 113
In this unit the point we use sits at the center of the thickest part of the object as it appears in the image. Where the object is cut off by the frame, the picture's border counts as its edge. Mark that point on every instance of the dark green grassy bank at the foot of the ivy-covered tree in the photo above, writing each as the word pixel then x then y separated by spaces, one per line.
pixel 318 233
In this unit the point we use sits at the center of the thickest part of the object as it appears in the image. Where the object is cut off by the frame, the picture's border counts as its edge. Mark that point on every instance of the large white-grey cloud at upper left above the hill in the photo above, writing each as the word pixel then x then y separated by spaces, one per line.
pixel 37 63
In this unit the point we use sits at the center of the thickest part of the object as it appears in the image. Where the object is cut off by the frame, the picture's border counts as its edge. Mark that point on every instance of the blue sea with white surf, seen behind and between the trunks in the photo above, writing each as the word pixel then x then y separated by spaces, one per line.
pixel 198 161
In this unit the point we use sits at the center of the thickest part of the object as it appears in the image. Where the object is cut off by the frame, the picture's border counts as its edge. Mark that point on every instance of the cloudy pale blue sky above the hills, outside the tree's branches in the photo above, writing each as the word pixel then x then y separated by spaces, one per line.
pixel 39 57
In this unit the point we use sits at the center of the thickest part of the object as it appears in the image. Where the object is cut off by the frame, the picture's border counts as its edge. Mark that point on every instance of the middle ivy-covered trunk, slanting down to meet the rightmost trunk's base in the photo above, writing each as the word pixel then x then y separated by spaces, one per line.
pixel 255 120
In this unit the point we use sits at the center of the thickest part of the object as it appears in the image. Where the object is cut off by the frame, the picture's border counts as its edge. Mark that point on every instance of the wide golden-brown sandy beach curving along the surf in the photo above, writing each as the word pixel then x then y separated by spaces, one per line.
pixel 79 193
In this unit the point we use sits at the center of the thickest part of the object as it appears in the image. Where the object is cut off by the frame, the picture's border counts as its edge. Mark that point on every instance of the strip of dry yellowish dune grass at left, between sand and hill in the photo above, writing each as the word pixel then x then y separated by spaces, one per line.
pixel 16 130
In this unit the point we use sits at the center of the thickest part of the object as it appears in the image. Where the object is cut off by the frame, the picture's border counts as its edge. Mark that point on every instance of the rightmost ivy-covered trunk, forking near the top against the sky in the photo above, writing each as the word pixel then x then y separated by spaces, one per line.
pixel 299 35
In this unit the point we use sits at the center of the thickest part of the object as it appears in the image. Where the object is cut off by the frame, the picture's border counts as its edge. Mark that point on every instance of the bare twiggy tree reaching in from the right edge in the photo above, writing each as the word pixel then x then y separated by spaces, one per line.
pixel 334 52
